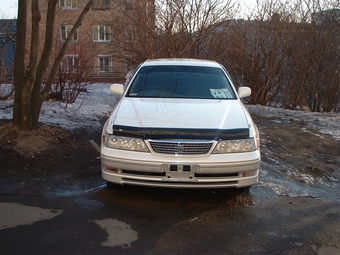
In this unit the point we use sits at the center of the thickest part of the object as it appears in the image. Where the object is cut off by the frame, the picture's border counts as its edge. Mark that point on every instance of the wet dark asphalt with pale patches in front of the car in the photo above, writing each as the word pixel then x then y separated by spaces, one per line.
pixel 275 216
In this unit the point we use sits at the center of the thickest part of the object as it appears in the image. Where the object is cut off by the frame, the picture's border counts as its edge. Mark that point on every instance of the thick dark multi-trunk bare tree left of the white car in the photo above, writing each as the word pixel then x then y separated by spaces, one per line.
pixel 29 93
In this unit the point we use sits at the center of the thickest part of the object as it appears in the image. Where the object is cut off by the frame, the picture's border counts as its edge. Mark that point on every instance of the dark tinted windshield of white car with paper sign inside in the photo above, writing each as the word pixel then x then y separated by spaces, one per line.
pixel 181 82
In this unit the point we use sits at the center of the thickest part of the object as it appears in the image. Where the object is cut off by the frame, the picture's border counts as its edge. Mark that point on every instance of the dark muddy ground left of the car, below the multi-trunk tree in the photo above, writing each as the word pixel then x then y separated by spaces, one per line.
pixel 50 156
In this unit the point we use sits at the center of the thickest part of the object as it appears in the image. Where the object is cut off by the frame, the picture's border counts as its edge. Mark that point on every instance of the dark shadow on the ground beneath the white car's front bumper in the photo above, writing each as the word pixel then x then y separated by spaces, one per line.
pixel 174 199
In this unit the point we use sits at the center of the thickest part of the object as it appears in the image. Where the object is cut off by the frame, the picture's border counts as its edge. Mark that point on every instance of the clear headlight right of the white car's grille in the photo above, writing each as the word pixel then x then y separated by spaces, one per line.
pixel 233 146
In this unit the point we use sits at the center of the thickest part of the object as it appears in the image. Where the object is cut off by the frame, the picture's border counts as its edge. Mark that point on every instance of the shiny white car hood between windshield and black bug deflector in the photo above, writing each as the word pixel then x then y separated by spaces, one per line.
pixel 180 114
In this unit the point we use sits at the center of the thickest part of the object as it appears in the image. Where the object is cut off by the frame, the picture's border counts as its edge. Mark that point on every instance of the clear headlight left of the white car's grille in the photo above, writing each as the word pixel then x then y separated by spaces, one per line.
pixel 125 143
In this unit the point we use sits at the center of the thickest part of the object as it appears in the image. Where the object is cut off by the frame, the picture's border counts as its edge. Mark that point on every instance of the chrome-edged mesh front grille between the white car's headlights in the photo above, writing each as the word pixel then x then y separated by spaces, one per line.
pixel 182 148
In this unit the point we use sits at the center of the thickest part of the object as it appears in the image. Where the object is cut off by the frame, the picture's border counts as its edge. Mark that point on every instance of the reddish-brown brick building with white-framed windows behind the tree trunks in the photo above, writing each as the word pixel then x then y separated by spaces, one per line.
pixel 95 48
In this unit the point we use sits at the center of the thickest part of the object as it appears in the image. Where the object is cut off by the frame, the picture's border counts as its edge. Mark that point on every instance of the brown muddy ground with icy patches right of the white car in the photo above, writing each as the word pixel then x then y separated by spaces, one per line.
pixel 291 142
